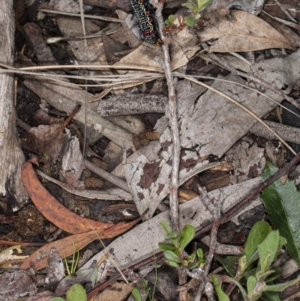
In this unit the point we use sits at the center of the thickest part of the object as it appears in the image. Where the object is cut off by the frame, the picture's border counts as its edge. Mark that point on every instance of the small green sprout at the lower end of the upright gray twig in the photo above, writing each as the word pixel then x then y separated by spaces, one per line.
pixel 174 248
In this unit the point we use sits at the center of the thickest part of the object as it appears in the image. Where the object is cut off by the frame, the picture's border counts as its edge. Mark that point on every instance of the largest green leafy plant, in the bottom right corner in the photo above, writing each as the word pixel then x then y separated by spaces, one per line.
pixel 256 272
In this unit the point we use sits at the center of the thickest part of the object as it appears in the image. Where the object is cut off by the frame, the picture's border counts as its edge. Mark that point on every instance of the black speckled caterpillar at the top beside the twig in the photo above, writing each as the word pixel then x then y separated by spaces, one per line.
pixel 145 14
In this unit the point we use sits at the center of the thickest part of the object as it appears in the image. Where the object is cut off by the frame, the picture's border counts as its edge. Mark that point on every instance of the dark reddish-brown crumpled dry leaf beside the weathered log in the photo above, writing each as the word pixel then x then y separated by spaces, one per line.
pixel 45 141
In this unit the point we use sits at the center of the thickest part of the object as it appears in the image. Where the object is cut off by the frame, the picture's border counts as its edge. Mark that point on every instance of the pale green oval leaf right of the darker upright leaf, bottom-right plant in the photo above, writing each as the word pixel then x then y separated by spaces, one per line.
pixel 268 250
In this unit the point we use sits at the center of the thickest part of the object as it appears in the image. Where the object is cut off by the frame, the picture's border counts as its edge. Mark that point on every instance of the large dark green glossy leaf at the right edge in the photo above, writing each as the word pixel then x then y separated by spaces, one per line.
pixel 282 202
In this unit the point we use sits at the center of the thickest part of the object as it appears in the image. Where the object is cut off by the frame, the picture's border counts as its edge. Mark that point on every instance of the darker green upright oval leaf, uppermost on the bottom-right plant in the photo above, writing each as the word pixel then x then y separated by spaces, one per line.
pixel 256 236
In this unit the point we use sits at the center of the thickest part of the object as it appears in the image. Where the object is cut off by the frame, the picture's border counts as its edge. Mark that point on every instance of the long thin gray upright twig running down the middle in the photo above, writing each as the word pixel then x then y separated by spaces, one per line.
pixel 174 211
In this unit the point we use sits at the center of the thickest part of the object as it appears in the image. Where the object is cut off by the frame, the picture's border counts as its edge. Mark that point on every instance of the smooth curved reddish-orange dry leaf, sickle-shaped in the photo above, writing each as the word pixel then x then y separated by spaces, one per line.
pixel 54 211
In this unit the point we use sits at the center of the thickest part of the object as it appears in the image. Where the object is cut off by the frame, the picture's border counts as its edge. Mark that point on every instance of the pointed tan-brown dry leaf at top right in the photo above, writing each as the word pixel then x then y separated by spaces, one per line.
pixel 239 31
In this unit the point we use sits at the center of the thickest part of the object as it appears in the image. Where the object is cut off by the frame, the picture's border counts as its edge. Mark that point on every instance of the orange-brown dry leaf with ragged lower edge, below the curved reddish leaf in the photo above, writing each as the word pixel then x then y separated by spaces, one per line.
pixel 67 246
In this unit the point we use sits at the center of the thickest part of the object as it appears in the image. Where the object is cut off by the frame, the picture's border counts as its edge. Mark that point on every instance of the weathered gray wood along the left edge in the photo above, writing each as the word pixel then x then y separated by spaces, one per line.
pixel 11 157
